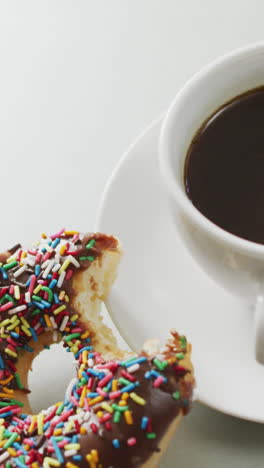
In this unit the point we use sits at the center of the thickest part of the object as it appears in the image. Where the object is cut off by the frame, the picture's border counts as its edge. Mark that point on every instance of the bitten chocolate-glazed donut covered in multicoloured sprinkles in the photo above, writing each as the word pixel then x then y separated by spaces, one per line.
pixel 122 409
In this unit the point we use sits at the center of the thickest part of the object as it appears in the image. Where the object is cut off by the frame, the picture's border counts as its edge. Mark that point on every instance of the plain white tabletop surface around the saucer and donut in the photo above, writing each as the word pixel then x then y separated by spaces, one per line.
pixel 78 81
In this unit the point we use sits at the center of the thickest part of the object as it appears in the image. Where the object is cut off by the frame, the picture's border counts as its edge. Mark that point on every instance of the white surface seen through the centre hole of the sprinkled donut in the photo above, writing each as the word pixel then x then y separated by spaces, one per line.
pixel 52 370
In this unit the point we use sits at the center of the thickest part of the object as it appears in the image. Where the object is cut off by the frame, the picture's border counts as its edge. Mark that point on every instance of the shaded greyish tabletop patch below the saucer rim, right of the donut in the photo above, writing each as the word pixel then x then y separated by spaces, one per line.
pixel 208 439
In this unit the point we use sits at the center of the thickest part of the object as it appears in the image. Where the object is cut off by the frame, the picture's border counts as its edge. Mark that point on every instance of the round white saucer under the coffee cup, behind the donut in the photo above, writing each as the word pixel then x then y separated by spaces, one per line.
pixel 160 287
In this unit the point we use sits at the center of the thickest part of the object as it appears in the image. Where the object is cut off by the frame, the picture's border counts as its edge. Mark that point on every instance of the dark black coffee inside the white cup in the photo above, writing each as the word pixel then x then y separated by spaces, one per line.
pixel 224 169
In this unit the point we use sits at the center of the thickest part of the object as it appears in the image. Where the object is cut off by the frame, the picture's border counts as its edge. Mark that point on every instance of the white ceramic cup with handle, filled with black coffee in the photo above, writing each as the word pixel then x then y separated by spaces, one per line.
pixel 235 263
